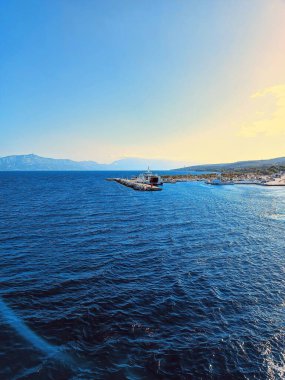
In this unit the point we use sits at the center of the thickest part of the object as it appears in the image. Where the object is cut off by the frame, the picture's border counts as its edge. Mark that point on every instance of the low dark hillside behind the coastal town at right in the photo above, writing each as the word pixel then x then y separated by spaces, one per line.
pixel 280 161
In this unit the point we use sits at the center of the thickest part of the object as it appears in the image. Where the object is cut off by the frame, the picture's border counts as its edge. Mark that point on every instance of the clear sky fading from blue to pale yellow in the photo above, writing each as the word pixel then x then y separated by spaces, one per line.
pixel 194 81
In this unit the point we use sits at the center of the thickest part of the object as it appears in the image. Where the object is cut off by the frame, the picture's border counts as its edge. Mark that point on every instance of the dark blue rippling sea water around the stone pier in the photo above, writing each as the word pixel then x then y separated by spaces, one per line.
pixel 101 282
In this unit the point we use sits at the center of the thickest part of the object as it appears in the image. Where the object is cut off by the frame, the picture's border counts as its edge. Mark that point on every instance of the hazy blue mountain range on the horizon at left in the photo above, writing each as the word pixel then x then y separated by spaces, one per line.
pixel 32 162
